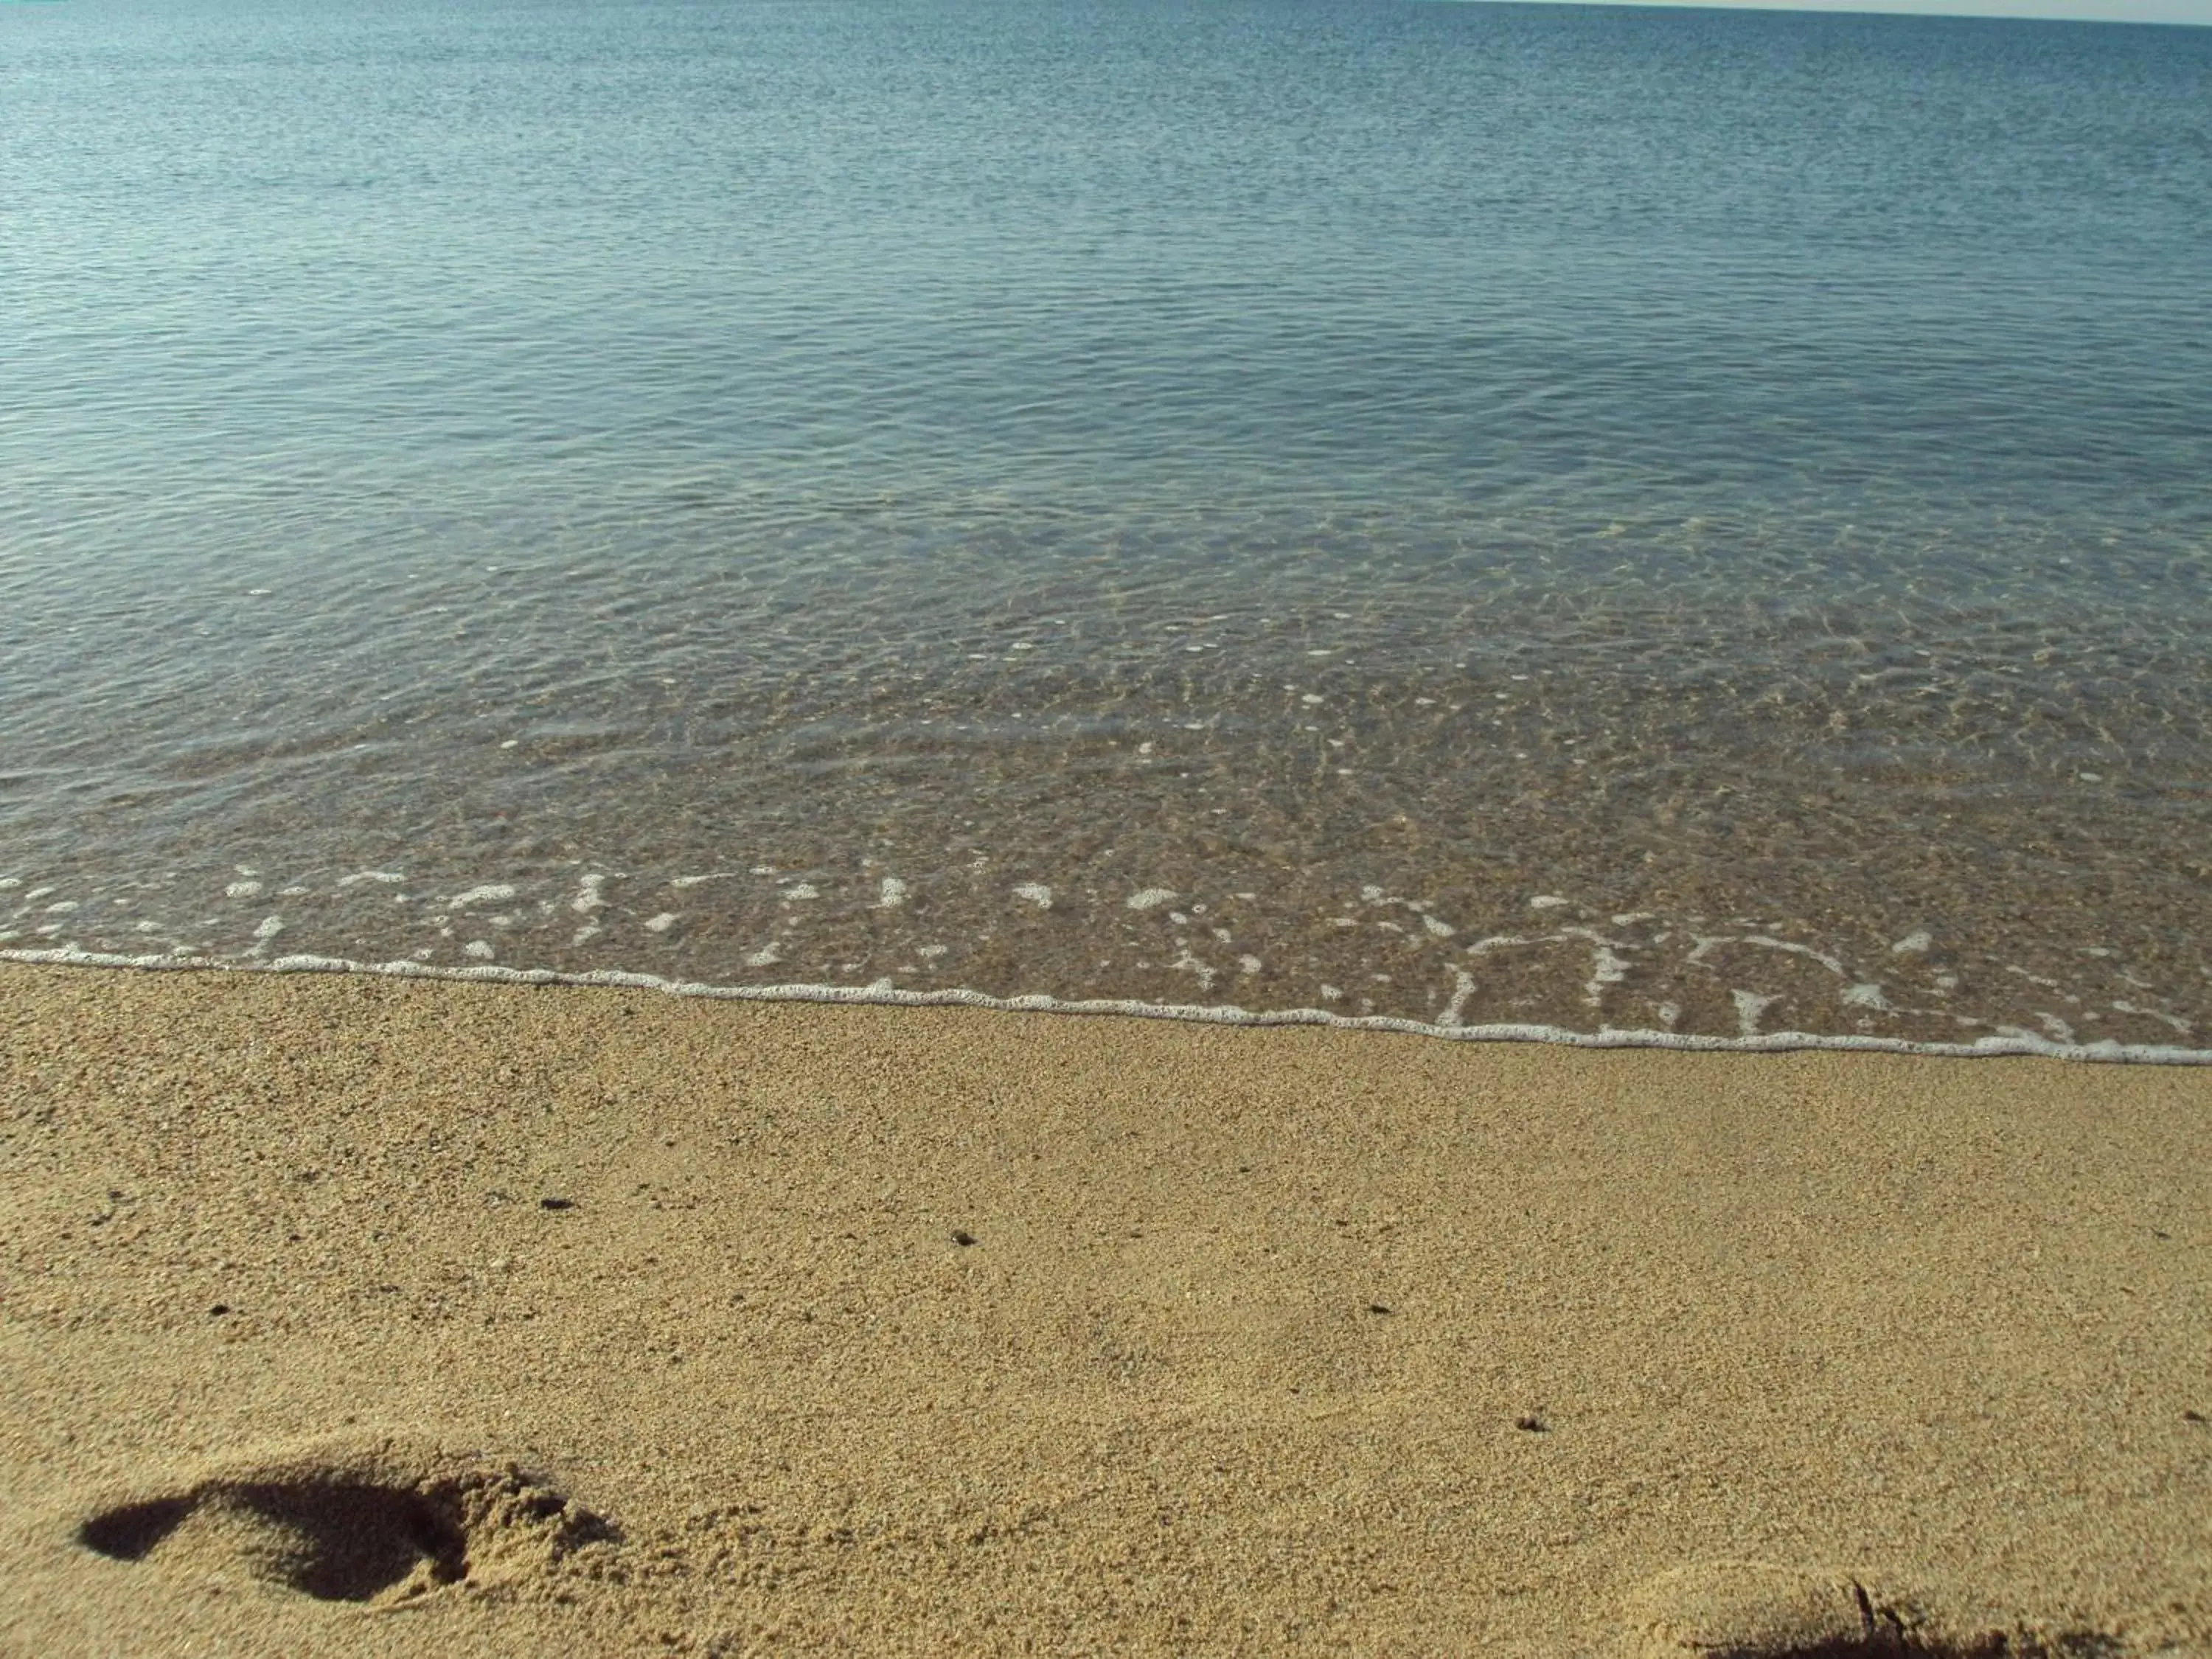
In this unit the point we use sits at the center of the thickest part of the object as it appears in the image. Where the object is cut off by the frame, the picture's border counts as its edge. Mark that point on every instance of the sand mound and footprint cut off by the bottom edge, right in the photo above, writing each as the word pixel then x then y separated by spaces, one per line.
pixel 1768 1611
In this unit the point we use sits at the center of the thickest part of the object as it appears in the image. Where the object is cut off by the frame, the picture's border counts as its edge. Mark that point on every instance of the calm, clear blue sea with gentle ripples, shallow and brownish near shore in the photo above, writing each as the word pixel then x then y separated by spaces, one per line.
pixel 1474 514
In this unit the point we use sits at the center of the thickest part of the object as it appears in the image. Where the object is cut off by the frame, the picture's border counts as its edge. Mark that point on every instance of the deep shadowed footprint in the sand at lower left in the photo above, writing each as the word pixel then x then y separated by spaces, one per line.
pixel 366 1521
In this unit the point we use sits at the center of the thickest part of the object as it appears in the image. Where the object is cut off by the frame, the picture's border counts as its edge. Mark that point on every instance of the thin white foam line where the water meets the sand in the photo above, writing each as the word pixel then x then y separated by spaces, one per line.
pixel 2018 1043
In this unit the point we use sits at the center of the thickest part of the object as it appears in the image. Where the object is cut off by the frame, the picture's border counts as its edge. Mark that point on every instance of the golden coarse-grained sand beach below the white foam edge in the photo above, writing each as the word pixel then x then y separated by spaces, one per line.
pixel 353 1315
